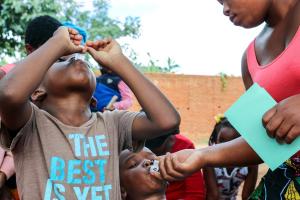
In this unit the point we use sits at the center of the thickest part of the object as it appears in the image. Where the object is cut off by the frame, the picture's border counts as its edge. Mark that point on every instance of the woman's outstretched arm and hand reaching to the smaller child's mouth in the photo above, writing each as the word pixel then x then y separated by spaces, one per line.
pixel 183 163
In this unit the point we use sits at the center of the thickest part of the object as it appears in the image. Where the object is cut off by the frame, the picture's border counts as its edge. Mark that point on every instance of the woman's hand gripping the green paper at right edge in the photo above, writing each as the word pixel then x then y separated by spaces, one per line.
pixel 282 122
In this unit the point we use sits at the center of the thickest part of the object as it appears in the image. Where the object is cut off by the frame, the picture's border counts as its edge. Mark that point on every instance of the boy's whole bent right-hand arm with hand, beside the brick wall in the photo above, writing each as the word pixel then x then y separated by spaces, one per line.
pixel 161 116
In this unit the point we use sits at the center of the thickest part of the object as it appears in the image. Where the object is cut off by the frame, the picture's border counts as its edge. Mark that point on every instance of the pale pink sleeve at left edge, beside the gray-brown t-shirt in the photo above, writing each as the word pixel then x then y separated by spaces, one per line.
pixel 7 163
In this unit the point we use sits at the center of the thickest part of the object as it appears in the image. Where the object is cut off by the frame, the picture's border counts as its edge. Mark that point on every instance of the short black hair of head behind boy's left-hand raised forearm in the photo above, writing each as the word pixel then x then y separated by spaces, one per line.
pixel 40 29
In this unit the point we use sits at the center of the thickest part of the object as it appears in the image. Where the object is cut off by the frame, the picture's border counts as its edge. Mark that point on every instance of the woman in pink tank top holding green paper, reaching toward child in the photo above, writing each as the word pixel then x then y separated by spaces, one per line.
pixel 273 61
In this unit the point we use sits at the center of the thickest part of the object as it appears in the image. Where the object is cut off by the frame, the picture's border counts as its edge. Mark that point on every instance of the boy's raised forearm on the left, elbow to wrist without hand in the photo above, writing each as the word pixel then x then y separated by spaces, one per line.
pixel 28 73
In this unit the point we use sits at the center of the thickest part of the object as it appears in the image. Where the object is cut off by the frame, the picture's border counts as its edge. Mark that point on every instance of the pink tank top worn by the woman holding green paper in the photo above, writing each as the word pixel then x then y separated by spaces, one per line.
pixel 281 77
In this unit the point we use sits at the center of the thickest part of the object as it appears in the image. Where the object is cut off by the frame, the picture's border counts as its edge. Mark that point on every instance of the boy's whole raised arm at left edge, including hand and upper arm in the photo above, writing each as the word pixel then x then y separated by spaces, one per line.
pixel 17 86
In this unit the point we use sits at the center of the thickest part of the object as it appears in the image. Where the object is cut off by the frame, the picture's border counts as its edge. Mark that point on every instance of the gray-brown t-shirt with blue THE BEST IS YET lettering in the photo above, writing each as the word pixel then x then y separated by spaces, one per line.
pixel 57 161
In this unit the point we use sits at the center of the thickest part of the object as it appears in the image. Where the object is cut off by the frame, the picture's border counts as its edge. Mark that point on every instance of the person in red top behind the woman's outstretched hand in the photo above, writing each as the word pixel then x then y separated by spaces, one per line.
pixel 191 188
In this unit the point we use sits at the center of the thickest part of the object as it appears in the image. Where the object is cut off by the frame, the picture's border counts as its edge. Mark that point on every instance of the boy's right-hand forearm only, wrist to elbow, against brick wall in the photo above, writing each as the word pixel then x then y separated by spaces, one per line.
pixel 157 107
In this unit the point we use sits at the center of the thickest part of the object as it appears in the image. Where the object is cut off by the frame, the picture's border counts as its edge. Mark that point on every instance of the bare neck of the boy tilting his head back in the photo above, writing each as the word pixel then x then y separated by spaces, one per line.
pixel 73 110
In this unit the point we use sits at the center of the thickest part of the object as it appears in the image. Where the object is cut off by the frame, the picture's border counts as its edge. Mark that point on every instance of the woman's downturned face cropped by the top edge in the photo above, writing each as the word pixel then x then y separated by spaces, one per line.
pixel 246 13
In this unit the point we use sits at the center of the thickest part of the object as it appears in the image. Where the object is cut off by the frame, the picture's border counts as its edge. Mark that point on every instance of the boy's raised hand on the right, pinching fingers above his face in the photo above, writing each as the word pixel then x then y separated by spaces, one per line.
pixel 104 51
